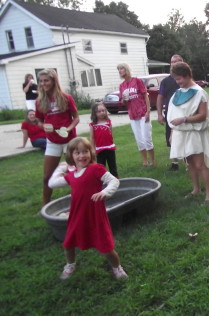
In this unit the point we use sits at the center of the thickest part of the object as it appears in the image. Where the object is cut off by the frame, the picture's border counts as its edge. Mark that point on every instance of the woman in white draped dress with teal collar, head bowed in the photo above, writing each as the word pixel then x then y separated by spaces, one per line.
pixel 188 118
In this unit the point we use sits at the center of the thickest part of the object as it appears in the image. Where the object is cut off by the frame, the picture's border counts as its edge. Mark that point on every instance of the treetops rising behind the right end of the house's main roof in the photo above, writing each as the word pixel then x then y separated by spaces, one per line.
pixel 120 9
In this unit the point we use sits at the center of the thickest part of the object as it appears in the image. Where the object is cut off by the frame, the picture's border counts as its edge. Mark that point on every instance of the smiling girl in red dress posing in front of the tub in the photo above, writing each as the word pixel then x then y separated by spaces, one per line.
pixel 88 223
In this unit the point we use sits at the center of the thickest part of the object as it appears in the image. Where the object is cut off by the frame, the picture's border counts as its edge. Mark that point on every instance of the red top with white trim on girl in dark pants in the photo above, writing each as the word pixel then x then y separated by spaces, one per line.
pixel 103 136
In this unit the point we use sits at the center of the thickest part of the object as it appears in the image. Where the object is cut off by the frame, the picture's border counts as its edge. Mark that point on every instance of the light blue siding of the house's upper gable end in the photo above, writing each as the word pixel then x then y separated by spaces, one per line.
pixel 16 21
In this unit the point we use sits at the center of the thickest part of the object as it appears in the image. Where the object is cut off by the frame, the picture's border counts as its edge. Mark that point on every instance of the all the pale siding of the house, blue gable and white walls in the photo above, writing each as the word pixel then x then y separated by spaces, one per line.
pixel 106 56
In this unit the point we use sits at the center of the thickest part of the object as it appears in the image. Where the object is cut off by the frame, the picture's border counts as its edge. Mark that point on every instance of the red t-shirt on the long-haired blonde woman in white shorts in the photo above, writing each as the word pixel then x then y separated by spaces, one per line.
pixel 58 119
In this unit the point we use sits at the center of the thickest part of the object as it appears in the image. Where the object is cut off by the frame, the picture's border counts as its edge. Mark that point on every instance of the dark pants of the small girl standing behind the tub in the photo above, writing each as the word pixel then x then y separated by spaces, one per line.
pixel 109 157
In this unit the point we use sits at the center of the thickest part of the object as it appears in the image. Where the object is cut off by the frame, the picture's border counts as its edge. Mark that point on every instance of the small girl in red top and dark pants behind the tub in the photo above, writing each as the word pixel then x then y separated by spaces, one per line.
pixel 101 137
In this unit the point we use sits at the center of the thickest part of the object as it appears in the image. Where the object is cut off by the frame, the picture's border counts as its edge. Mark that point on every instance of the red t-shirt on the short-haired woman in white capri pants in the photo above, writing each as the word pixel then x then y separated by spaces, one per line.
pixel 137 107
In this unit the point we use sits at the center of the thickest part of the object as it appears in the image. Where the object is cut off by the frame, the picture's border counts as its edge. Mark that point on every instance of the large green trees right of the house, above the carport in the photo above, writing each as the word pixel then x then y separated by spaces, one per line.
pixel 190 40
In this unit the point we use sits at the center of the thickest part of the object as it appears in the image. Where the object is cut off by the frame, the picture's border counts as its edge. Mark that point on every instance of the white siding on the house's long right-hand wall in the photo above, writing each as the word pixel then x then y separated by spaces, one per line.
pixel 106 56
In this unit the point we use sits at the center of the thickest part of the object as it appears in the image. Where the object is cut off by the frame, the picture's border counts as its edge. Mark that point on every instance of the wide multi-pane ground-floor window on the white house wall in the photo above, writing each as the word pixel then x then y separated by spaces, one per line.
pixel 91 78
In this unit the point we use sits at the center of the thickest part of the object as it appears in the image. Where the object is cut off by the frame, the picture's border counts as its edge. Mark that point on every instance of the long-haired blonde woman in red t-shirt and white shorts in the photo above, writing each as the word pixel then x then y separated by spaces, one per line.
pixel 54 110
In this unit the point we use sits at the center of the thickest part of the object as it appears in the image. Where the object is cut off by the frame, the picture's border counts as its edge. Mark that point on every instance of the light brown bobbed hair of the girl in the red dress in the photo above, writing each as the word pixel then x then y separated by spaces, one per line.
pixel 73 144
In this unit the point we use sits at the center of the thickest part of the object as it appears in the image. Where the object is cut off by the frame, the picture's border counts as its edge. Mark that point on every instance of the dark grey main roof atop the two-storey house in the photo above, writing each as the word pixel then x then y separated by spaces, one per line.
pixel 58 17
